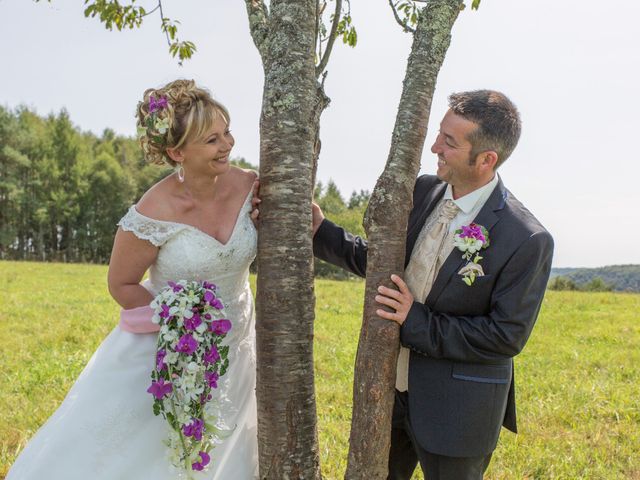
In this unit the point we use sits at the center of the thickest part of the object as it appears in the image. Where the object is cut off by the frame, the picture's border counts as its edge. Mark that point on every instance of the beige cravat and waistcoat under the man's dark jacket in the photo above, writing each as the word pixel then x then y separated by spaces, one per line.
pixel 430 251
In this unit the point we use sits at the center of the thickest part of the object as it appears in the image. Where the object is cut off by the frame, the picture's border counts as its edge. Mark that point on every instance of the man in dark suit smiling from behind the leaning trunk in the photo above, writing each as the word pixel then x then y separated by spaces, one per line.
pixel 461 322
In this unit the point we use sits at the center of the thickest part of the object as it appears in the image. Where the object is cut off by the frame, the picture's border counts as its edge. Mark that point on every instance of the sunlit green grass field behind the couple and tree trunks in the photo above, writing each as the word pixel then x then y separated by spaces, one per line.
pixel 578 379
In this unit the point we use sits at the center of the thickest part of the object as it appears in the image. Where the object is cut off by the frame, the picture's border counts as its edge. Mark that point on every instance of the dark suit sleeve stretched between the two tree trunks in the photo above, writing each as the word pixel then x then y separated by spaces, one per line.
pixel 335 245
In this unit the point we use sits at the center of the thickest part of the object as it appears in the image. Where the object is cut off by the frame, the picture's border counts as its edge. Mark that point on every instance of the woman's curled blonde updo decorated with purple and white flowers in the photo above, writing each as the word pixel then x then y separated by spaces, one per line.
pixel 174 115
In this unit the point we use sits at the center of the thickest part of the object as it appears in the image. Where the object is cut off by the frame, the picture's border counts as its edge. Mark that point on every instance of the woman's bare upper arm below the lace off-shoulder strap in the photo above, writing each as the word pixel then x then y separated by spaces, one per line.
pixel 130 259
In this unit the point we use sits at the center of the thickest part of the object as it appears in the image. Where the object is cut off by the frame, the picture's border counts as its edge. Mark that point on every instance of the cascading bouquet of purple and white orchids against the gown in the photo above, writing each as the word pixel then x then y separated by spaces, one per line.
pixel 190 360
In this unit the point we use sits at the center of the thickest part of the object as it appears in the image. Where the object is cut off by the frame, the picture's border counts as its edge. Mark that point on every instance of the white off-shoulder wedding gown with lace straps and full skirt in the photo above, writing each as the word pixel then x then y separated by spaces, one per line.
pixel 105 428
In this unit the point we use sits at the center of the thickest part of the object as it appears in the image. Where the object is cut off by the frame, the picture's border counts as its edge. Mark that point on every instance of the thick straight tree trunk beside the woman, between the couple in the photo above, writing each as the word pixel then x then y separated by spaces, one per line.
pixel 287 435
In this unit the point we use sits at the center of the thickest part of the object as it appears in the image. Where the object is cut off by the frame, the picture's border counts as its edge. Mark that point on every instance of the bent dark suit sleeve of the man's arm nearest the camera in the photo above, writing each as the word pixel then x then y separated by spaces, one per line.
pixel 503 332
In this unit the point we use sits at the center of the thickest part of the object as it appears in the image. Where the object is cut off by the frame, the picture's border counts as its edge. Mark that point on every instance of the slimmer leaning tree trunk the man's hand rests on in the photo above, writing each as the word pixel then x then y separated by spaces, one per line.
pixel 386 224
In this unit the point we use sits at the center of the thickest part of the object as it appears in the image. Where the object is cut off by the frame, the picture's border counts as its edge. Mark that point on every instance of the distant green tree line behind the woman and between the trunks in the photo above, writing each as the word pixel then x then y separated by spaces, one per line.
pixel 62 191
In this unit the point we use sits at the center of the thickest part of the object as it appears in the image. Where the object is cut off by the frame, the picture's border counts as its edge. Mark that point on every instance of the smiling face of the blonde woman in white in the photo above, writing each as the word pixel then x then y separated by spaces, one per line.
pixel 209 155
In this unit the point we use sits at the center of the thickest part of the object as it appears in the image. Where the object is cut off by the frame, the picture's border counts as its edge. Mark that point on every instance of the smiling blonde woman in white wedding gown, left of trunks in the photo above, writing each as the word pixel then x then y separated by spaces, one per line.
pixel 193 225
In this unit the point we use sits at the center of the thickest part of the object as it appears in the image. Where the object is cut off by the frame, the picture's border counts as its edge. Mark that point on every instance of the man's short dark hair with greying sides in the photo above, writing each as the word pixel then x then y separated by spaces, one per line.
pixel 498 121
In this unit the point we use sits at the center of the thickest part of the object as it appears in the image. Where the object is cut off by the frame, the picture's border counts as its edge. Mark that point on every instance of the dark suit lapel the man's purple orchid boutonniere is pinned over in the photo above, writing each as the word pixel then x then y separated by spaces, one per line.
pixel 487 217
